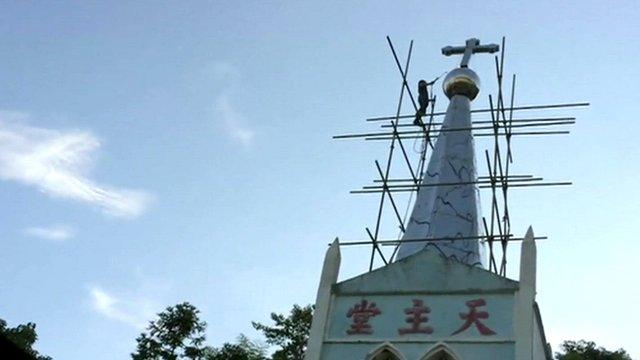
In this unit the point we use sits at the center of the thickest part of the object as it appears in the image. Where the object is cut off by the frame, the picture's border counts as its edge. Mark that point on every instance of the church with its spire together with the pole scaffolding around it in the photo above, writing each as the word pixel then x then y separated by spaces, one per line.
pixel 426 306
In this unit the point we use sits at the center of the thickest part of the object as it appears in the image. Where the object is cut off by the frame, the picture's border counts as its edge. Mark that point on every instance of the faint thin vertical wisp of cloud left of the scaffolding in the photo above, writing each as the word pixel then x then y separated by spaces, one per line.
pixel 230 119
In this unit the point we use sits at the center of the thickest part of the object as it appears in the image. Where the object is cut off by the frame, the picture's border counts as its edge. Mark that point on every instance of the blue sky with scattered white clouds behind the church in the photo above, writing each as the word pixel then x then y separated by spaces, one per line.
pixel 154 152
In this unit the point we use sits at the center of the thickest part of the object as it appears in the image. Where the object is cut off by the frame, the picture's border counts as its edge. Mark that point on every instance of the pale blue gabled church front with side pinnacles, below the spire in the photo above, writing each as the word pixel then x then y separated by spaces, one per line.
pixel 428 307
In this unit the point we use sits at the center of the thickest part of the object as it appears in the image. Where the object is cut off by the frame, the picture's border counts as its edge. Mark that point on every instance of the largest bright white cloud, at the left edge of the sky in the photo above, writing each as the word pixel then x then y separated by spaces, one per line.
pixel 56 162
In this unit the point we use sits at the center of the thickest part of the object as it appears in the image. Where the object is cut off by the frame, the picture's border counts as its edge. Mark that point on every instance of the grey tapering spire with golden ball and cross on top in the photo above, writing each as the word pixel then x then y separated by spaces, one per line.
pixel 447 206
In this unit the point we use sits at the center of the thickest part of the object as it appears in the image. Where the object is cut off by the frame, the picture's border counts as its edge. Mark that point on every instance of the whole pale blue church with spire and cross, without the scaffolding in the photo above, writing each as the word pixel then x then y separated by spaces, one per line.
pixel 436 299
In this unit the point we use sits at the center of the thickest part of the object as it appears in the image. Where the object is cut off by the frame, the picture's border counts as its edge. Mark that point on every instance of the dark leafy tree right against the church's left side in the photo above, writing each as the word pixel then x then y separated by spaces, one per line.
pixel 290 332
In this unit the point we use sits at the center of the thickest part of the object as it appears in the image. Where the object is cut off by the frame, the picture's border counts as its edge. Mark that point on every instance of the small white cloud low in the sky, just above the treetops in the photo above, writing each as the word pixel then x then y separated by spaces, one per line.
pixel 133 311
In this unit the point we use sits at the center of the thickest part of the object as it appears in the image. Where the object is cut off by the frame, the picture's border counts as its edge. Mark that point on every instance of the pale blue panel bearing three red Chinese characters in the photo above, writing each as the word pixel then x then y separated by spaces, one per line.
pixel 423 316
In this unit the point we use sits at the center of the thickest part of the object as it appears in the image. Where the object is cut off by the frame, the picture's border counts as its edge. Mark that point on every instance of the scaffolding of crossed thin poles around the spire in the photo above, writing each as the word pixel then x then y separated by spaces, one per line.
pixel 498 179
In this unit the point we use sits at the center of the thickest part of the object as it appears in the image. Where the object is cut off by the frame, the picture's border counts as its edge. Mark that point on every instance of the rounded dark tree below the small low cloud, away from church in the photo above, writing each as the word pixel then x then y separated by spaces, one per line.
pixel 178 333
